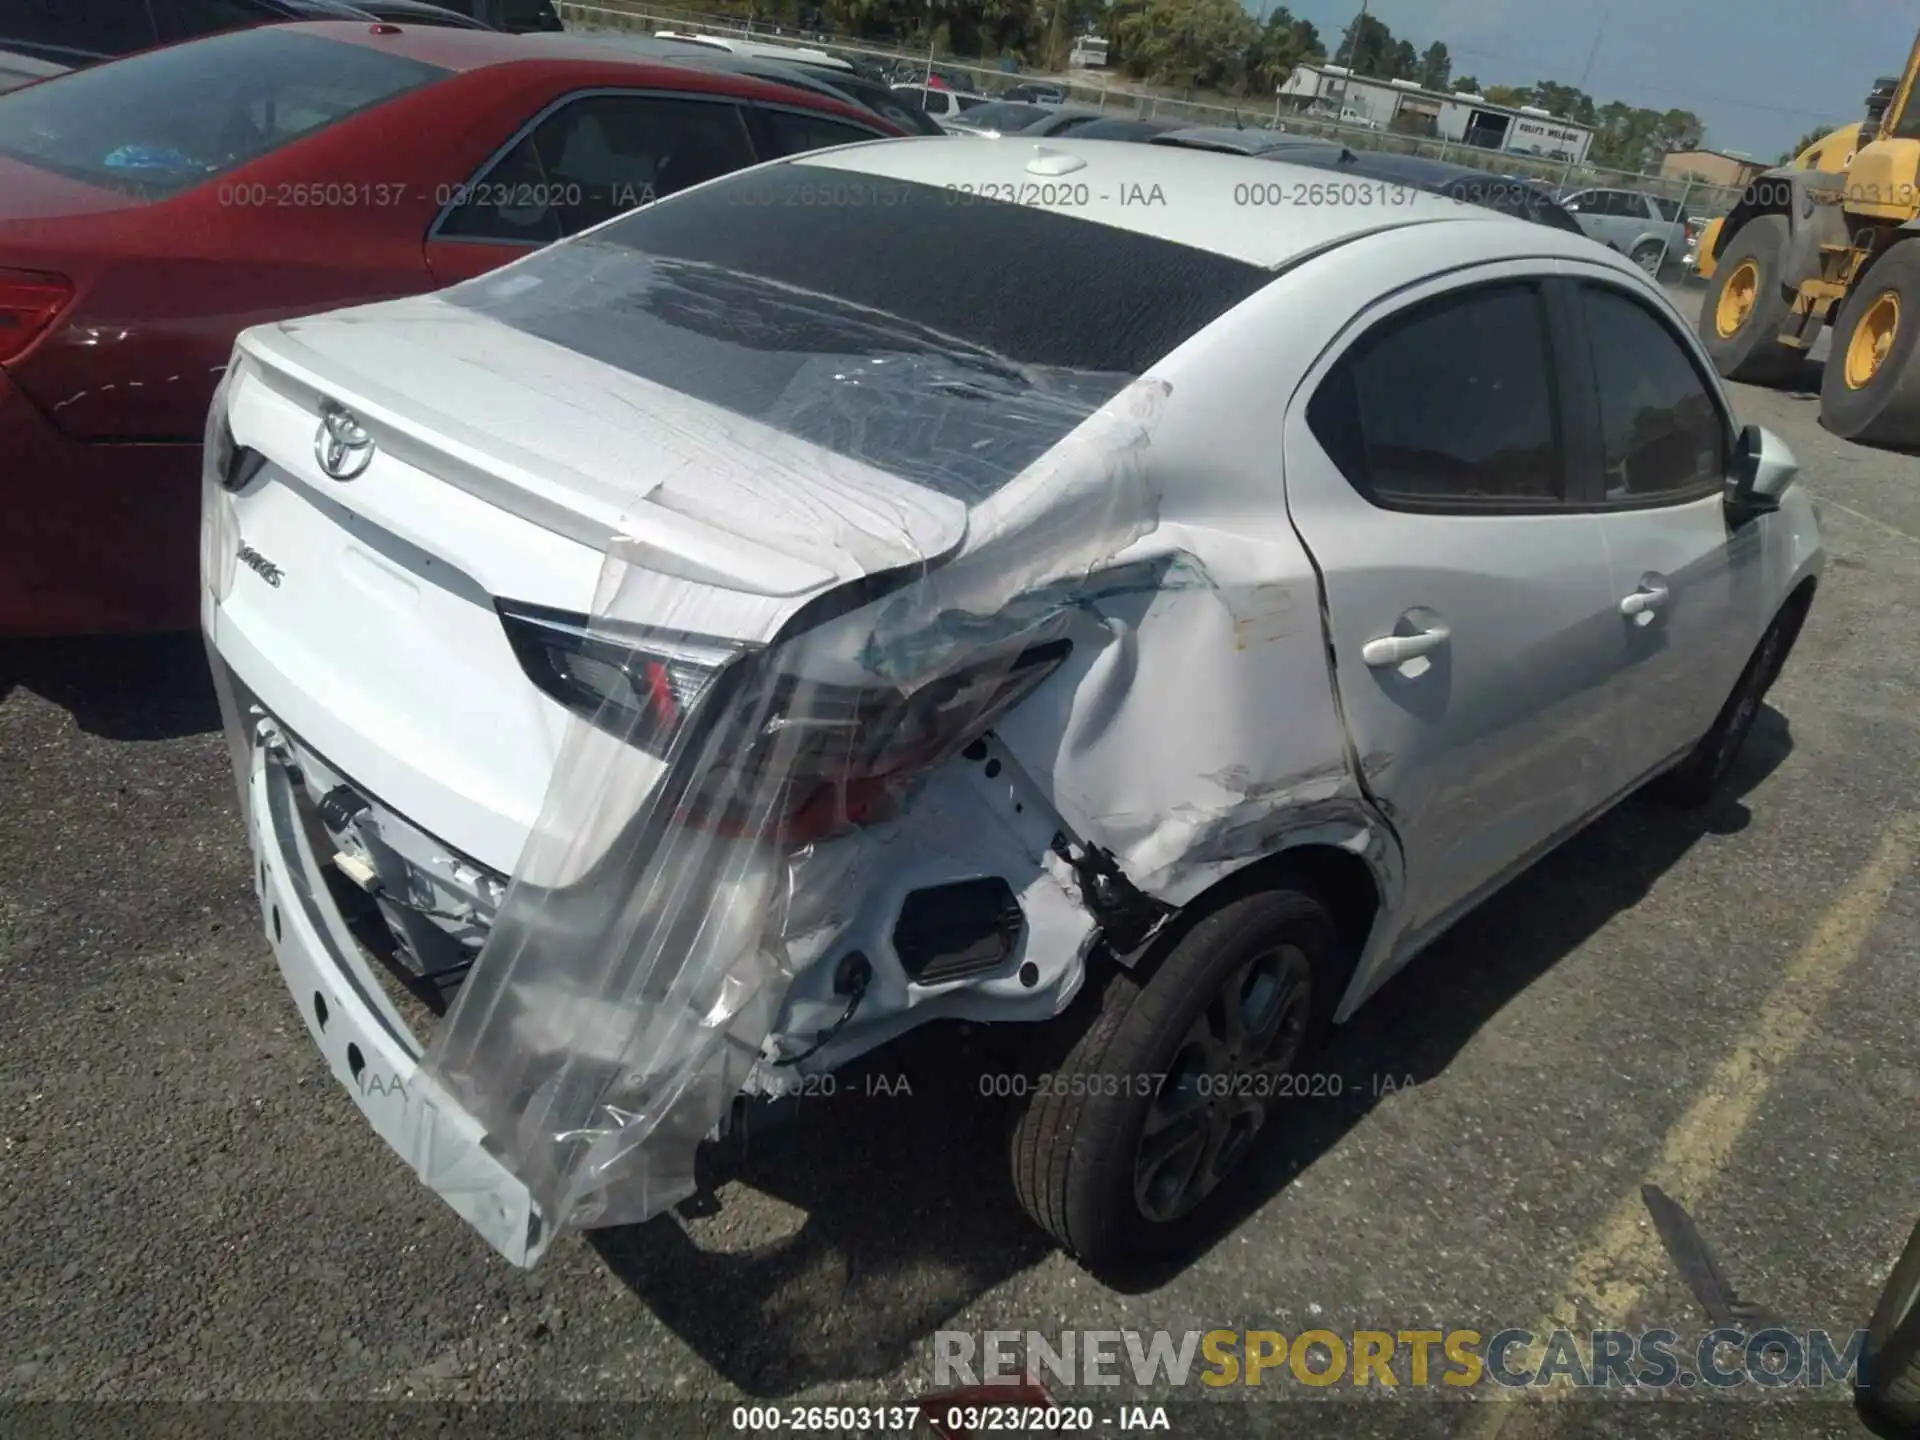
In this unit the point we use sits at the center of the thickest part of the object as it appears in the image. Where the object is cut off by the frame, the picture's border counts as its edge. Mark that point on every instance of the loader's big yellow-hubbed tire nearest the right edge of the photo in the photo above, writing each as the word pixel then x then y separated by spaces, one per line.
pixel 1867 398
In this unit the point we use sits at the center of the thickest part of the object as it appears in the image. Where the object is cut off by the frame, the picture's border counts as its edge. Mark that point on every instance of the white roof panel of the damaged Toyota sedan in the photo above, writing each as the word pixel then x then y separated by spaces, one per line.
pixel 1186 197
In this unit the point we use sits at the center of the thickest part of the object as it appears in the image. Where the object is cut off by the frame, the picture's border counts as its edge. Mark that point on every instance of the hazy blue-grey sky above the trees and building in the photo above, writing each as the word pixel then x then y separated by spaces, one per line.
pixel 1758 72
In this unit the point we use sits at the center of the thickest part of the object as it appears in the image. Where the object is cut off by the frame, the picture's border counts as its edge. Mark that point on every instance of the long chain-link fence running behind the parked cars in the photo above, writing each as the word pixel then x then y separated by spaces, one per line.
pixel 1115 95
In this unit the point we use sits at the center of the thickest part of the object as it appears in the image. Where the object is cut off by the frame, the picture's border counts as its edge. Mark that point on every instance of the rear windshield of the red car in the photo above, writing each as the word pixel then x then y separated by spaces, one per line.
pixel 164 122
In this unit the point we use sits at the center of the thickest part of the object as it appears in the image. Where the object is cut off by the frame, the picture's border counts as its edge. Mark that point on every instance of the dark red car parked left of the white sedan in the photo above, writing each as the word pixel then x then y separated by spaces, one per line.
pixel 155 206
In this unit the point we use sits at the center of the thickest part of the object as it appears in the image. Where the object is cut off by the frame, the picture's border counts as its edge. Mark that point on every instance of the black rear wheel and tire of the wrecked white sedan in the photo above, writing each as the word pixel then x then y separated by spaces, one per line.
pixel 1082 1157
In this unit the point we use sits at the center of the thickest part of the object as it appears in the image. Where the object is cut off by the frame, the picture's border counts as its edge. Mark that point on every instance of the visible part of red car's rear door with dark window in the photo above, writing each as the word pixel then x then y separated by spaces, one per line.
pixel 585 160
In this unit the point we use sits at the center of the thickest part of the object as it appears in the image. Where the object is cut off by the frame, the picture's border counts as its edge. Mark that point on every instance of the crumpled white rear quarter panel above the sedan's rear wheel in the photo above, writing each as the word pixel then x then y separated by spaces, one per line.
pixel 1205 734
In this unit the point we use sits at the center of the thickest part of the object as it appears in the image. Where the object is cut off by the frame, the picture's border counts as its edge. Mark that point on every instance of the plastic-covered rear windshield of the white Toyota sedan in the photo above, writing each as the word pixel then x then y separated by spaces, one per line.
pixel 942 339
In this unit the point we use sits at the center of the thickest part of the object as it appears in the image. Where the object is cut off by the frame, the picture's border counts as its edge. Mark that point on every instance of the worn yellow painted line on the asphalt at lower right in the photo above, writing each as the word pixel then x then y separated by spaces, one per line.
pixel 1610 1278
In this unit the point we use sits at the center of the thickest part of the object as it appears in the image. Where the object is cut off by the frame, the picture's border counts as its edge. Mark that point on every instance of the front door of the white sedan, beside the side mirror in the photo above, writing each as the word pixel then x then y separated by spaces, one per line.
pixel 1691 594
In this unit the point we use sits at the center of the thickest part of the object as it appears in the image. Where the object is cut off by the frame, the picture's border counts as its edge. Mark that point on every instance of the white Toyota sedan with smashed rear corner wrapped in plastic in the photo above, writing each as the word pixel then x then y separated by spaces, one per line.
pixel 1130 592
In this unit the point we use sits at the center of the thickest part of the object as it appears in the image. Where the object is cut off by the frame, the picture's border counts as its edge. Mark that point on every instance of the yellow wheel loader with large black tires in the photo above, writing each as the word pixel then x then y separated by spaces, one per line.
pixel 1831 239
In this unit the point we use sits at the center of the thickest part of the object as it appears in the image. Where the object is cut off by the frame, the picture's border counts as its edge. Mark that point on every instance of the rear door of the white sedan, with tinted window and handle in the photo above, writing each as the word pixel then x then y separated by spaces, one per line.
pixel 1468 600
